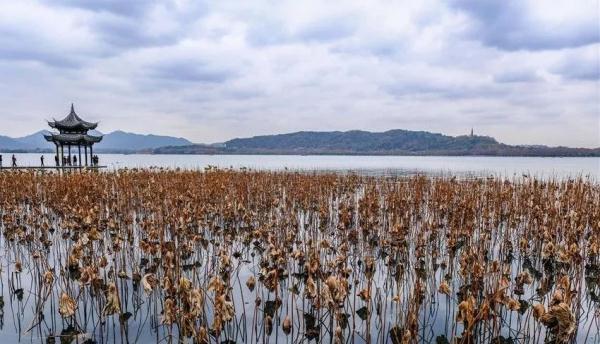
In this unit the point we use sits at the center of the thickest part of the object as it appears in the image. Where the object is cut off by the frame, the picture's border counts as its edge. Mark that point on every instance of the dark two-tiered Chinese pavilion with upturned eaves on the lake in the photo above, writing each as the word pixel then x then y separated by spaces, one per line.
pixel 73 131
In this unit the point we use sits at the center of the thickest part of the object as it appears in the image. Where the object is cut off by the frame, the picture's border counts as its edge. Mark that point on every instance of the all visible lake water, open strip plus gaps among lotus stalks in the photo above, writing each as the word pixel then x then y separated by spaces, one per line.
pixel 141 316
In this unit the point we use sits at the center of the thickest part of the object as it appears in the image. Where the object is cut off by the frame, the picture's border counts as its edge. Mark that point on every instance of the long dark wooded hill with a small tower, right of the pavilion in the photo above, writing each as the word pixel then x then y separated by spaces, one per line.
pixel 393 142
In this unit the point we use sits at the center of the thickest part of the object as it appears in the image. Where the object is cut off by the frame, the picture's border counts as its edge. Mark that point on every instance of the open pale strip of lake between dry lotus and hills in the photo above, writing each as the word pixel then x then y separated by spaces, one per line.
pixel 376 165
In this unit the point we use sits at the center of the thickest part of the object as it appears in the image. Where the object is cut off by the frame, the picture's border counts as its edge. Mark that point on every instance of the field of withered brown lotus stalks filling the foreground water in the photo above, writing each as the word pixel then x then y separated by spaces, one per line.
pixel 223 256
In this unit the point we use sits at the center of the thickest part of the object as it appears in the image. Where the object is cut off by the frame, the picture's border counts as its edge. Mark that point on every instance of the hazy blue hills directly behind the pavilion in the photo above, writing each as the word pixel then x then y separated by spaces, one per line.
pixel 117 142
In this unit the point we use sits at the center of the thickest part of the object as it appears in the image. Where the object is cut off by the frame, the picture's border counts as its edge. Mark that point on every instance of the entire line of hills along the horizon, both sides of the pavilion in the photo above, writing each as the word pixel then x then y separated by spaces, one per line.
pixel 352 142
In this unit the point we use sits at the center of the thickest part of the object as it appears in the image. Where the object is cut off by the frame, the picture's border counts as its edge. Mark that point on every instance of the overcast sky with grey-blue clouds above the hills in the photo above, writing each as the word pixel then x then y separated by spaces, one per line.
pixel 524 72
